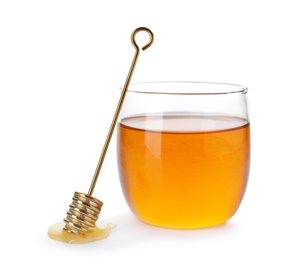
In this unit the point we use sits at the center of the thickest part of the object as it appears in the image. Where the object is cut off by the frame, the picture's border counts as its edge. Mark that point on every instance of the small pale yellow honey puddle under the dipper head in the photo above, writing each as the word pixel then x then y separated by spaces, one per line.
pixel 57 232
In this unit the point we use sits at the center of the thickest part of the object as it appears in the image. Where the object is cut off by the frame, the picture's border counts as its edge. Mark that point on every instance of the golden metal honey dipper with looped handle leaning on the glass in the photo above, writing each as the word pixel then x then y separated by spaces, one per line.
pixel 84 209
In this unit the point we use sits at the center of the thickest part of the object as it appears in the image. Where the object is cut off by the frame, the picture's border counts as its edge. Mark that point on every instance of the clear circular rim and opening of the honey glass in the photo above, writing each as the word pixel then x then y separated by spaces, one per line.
pixel 186 88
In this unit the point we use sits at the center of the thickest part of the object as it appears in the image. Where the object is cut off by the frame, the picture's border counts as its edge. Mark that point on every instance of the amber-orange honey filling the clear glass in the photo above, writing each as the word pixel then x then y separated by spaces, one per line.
pixel 183 171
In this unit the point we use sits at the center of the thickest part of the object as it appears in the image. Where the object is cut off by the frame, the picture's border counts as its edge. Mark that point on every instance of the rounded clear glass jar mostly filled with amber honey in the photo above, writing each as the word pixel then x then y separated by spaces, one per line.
pixel 183 152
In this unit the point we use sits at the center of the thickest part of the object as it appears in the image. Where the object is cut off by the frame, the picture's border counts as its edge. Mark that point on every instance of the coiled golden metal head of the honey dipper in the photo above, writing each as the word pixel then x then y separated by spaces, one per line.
pixel 83 213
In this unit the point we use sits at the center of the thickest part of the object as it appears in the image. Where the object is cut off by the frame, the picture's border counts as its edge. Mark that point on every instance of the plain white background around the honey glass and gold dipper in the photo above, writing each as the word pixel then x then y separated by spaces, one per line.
pixel 61 66
